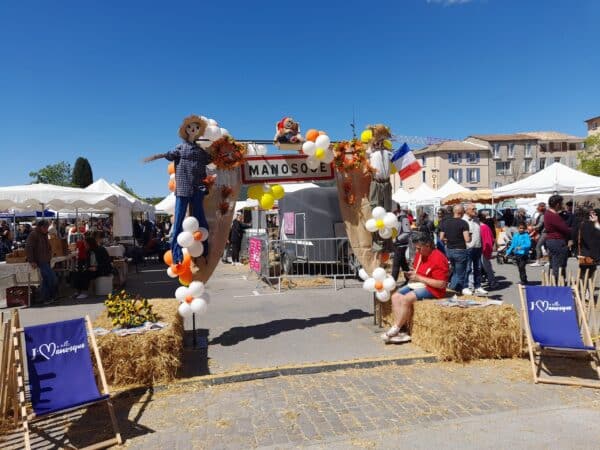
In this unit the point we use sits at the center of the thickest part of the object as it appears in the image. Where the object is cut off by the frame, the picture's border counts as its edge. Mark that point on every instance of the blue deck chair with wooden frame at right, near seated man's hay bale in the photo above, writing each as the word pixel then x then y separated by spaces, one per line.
pixel 552 315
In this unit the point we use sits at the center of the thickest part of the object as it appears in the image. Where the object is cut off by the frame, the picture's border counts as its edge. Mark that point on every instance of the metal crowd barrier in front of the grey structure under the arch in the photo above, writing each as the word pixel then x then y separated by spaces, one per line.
pixel 331 258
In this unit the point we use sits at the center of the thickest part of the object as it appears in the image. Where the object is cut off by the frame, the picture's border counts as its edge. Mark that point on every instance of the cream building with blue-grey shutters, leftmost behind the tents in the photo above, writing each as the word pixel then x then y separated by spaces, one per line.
pixel 466 162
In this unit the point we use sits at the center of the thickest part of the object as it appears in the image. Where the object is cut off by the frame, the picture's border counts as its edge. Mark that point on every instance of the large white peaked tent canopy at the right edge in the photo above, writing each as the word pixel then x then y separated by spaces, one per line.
pixel 554 178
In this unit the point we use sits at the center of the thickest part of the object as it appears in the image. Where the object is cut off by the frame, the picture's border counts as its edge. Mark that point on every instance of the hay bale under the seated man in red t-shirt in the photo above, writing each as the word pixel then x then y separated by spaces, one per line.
pixel 464 334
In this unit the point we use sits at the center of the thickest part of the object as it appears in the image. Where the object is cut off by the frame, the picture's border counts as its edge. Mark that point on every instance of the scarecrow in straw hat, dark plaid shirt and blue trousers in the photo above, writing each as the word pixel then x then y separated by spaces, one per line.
pixel 190 174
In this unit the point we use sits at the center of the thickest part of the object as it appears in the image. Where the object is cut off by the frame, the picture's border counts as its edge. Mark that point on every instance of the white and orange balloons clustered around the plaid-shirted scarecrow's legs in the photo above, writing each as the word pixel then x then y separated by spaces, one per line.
pixel 190 239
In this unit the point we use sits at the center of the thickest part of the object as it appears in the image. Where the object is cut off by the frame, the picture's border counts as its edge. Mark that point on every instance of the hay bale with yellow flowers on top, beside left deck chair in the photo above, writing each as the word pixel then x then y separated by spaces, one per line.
pixel 146 359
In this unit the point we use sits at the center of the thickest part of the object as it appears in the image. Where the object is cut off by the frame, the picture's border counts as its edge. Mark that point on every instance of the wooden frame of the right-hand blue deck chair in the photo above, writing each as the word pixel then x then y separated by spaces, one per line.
pixel 536 352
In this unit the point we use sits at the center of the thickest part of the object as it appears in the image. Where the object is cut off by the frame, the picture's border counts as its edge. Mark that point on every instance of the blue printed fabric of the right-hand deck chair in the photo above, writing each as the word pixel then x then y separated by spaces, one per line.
pixel 553 318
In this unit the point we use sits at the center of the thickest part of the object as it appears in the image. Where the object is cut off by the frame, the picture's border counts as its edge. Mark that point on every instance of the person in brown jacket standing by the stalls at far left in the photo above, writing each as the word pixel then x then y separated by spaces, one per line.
pixel 39 255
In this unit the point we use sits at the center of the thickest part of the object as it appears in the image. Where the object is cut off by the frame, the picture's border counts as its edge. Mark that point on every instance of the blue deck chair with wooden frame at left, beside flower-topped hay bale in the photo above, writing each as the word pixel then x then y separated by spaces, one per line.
pixel 61 375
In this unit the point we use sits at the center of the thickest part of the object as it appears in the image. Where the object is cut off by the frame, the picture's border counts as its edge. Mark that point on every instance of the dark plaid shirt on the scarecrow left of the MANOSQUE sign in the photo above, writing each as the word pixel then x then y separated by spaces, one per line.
pixel 190 168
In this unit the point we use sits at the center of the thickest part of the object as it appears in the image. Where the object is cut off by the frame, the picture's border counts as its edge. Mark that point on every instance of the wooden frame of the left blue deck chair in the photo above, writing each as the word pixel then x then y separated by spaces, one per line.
pixel 18 386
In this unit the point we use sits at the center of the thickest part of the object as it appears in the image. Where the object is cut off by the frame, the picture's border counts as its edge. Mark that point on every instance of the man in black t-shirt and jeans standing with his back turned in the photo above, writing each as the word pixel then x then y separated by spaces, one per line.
pixel 454 233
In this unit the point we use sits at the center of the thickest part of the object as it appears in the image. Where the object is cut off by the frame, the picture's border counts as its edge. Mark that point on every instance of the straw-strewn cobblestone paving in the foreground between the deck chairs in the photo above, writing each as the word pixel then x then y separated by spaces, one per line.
pixel 360 408
